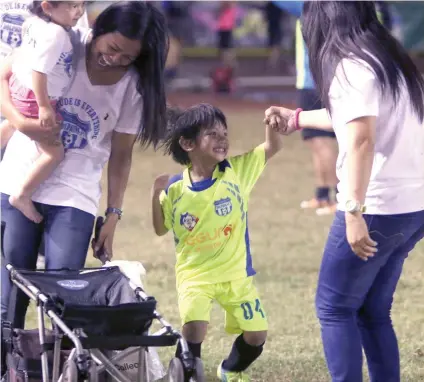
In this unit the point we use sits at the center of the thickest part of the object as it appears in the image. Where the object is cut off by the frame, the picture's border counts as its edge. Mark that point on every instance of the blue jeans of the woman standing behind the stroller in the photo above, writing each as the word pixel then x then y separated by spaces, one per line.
pixel 67 232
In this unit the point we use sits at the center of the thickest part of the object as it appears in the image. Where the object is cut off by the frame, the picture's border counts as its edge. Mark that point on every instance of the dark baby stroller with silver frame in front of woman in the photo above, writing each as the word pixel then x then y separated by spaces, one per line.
pixel 98 318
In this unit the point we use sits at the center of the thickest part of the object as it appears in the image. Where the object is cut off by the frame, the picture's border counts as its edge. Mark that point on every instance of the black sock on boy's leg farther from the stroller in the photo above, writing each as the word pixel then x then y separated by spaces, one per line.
pixel 242 355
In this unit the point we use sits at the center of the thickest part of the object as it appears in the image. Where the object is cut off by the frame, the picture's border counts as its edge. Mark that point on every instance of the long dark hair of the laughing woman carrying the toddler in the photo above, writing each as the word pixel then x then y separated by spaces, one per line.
pixel 139 20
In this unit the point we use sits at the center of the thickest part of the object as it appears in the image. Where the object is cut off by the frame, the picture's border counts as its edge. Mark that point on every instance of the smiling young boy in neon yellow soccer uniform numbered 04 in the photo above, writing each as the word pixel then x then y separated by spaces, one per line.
pixel 206 208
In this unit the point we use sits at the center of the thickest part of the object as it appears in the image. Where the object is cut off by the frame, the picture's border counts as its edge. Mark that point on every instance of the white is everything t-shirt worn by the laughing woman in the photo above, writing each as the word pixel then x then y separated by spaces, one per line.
pixel 91 114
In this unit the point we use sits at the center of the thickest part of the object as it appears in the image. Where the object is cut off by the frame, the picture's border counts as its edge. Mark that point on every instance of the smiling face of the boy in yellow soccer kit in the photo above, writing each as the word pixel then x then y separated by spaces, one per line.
pixel 212 144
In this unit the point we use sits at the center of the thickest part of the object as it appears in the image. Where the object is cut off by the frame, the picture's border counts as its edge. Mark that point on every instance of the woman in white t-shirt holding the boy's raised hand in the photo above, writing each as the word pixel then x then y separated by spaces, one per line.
pixel 375 97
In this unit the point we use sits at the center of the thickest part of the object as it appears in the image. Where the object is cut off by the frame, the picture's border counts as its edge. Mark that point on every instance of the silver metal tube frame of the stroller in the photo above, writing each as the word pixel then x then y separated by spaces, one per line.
pixel 92 362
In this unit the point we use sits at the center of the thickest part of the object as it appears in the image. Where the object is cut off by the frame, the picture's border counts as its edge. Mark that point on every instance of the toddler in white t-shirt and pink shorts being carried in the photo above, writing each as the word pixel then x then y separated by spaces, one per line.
pixel 42 71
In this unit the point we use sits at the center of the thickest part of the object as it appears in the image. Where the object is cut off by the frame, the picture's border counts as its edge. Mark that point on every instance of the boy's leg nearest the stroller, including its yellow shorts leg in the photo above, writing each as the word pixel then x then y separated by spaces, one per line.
pixel 195 303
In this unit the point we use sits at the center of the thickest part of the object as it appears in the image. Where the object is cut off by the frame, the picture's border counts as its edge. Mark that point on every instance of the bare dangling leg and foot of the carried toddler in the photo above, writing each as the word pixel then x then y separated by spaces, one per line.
pixel 49 159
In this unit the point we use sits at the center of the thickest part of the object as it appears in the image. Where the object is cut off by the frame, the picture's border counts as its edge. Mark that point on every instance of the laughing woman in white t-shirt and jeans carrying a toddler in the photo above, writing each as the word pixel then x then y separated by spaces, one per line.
pixel 117 97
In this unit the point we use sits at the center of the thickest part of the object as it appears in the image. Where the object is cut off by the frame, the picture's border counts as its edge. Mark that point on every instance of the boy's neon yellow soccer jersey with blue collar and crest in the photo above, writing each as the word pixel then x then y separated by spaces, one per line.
pixel 209 220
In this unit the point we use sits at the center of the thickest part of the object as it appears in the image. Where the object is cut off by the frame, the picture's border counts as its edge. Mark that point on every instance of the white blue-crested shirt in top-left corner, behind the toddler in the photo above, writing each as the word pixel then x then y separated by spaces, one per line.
pixel 12 16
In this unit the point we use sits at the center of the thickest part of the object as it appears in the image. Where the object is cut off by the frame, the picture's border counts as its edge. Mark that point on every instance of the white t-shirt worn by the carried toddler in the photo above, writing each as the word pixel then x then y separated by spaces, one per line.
pixel 46 48
